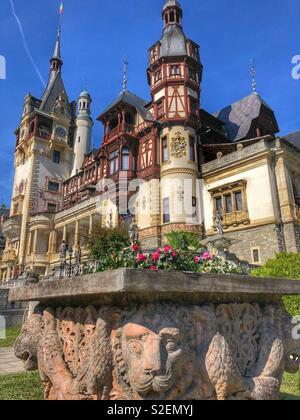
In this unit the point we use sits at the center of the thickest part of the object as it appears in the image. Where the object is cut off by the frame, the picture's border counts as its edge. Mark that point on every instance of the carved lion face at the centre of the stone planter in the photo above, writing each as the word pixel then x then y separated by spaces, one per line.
pixel 155 353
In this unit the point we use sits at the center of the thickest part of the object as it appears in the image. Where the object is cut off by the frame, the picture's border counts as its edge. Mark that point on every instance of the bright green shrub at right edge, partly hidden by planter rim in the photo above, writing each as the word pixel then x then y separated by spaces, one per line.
pixel 284 266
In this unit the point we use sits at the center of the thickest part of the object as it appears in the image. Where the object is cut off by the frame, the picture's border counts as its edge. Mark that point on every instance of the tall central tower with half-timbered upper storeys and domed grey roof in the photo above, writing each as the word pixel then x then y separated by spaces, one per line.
pixel 174 75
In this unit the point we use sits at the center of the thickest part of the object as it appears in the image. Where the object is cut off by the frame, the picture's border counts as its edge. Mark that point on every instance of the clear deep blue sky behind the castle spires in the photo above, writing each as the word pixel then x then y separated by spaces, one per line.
pixel 97 34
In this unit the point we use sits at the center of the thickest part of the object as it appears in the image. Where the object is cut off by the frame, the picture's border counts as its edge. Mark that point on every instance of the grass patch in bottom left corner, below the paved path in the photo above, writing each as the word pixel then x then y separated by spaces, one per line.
pixel 26 386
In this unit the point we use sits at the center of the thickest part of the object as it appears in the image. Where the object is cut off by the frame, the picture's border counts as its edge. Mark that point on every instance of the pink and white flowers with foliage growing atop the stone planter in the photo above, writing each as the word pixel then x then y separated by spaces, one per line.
pixel 166 258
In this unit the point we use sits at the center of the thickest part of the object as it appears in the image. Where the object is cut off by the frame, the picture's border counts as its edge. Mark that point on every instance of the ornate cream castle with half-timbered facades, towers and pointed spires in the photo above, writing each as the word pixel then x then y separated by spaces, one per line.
pixel 167 164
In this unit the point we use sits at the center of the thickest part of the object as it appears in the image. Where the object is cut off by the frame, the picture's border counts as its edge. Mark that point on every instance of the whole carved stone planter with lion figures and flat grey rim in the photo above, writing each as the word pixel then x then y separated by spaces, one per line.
pixel 139 335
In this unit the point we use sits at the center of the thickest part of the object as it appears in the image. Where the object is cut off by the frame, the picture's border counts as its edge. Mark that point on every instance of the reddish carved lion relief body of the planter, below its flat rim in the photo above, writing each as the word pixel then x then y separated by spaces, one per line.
pixel 161 351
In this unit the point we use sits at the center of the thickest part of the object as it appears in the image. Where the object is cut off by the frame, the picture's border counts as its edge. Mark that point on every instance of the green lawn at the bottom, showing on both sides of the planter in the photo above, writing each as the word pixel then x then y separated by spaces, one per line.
pixel 28 387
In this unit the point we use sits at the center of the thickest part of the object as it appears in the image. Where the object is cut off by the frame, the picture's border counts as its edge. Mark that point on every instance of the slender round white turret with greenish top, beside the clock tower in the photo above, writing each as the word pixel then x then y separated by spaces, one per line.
pixel 84 126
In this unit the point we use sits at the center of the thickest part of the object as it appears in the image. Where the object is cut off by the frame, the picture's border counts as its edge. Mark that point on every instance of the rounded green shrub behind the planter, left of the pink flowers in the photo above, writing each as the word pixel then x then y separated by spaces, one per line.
pixel 105 243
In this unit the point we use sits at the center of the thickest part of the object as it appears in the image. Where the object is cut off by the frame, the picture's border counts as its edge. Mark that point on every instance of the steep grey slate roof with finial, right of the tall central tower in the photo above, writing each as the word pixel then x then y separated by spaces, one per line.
pixel 239 116
